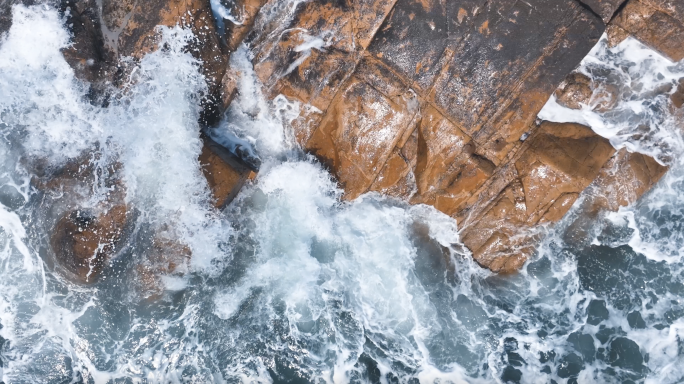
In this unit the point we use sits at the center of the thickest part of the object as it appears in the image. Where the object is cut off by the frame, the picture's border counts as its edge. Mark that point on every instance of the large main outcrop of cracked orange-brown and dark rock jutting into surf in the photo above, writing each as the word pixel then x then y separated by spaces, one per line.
pixel 435 102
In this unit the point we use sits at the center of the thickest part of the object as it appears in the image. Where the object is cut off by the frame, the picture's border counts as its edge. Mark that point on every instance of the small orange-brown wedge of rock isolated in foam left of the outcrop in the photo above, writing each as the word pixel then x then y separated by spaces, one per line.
pixel 224 172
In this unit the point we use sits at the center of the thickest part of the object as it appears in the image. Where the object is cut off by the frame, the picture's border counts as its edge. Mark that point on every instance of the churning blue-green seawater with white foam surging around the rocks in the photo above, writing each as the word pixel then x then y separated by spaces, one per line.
pixel 289 283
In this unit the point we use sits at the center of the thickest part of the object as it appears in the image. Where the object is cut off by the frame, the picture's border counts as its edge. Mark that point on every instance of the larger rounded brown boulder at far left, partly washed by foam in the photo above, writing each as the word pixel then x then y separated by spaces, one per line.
pixel 84 236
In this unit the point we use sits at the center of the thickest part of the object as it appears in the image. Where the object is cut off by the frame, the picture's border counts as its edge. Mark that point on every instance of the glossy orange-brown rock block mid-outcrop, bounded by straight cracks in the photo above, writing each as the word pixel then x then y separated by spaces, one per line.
pixel 364 123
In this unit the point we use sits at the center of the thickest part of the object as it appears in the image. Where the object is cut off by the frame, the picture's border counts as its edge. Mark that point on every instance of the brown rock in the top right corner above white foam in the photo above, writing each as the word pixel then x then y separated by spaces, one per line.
pixel 657 23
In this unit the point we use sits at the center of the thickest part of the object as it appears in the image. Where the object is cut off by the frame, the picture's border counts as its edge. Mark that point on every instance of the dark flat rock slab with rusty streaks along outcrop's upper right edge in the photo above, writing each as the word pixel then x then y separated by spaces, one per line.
pixel 502 74
